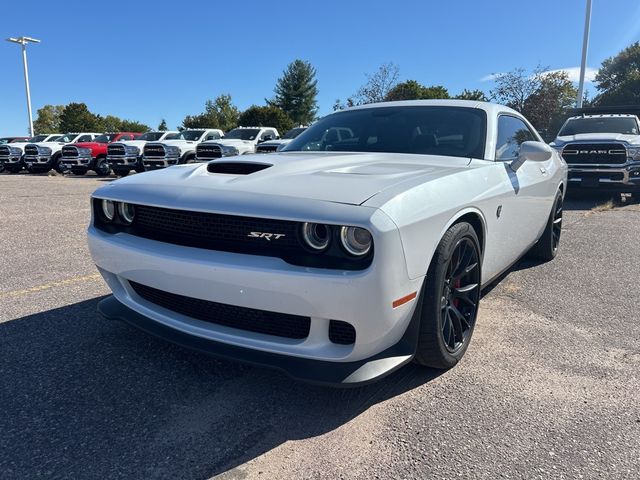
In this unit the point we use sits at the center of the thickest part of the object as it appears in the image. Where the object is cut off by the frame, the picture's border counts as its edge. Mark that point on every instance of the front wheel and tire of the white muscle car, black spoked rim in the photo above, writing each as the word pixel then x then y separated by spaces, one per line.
pixel 450 299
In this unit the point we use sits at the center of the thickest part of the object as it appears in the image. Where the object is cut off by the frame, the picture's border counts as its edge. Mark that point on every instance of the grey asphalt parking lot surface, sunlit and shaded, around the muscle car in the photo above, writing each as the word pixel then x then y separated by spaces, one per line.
pixel 550 386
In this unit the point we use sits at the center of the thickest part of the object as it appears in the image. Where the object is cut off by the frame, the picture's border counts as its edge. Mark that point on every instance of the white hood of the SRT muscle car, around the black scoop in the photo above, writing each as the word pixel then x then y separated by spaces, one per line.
pixel 349 178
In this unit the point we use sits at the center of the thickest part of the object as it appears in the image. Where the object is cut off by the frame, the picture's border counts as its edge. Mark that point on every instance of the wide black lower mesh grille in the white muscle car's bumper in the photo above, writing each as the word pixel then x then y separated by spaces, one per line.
pixel 241 318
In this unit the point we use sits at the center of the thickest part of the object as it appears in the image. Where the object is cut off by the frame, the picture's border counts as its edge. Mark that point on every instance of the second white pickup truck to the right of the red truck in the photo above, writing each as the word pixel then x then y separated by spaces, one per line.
pixel 177 148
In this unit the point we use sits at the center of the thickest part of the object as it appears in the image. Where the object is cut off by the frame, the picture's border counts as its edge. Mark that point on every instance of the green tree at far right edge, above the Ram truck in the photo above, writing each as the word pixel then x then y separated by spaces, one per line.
pixel 618 80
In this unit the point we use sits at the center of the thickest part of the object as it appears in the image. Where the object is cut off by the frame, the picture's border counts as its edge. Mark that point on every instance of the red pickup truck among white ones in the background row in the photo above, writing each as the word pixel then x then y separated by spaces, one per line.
pixel 85 156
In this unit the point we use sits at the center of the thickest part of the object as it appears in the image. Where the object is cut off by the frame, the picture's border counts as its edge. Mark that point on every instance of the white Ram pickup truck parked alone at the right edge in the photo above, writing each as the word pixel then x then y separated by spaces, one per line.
pixel 602 151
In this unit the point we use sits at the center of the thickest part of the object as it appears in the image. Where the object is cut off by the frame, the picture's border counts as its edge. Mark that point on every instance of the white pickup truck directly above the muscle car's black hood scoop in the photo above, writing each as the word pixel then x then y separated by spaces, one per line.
pixel 238 141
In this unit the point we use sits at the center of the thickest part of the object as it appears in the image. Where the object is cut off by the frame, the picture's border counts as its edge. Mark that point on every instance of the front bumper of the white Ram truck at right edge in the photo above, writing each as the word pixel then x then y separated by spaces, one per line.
pixel 619 178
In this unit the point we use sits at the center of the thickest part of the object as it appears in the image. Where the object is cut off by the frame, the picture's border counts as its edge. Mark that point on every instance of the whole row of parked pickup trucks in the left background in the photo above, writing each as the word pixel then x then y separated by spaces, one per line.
pixel 123 152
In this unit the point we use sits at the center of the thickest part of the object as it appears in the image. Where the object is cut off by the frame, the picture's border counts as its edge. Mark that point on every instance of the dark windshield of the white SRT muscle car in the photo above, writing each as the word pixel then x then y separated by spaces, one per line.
pixel 428 130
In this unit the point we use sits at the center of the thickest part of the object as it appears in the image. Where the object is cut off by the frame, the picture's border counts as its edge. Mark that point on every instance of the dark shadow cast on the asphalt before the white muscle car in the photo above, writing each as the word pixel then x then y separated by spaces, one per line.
pixel 83 397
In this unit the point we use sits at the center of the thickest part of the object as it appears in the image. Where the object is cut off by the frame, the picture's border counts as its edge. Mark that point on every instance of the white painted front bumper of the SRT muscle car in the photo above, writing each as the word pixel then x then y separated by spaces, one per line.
pixel 362 298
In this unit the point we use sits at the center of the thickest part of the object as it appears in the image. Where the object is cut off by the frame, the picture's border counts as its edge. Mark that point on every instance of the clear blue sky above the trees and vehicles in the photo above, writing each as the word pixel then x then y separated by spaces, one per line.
pixel 151 60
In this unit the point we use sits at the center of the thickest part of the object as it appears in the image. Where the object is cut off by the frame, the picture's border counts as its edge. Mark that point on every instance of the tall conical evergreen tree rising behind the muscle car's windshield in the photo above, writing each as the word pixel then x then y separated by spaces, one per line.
pixel 296 91
